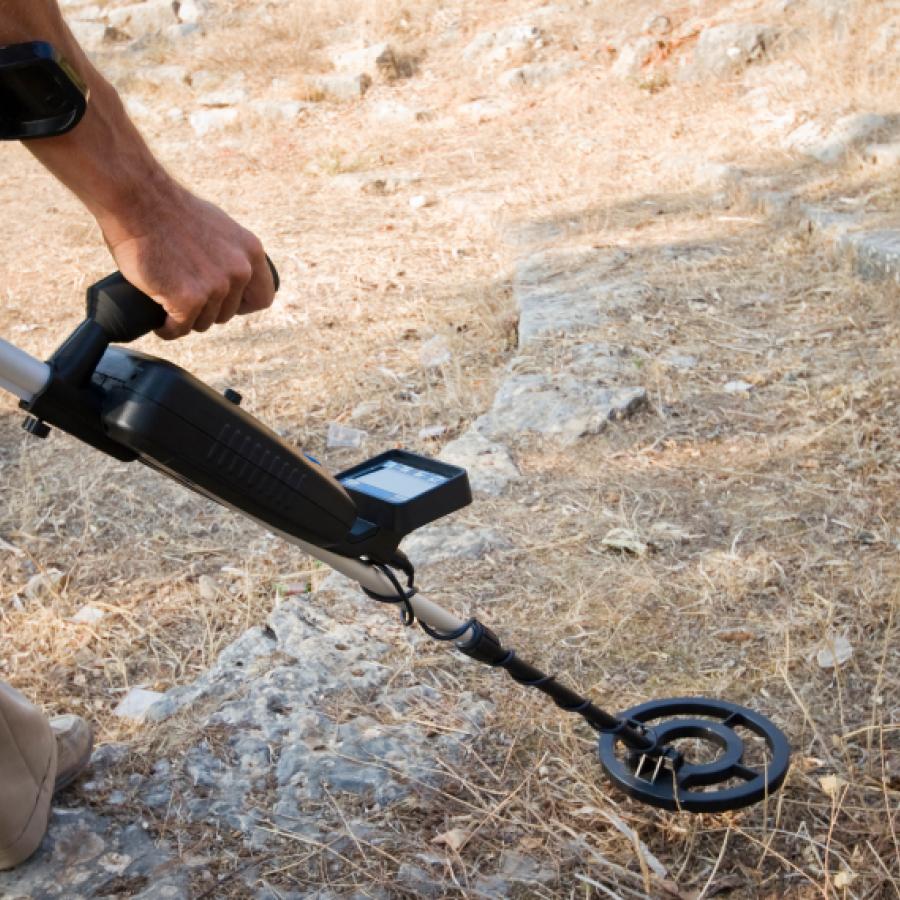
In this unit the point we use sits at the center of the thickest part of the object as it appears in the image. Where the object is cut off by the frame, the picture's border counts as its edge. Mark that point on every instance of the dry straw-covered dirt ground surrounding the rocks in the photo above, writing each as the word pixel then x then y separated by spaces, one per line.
pixel 774 510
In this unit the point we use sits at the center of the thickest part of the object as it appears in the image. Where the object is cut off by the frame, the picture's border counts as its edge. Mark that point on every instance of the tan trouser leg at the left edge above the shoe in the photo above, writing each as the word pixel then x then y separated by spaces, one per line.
pixel 27 773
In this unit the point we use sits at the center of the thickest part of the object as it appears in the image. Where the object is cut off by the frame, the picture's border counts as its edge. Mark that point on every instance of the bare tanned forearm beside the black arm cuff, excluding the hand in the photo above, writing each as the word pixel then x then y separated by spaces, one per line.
pixel 106 164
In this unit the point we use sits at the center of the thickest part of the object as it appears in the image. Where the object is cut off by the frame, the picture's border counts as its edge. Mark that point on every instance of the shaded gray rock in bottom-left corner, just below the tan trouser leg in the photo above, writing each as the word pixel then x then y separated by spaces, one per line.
pixel 86 855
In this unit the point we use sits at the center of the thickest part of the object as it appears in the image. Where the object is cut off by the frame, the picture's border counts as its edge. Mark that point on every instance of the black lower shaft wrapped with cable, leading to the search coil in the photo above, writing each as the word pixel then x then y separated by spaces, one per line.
pixel 485 646
